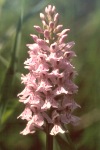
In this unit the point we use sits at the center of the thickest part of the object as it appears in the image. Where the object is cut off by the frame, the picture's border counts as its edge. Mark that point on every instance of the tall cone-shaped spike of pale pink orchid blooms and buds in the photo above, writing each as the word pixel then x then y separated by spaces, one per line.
pixel 49 87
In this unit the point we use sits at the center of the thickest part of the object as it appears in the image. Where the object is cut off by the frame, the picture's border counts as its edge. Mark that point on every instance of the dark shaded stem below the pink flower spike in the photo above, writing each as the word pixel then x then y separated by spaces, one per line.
pixel 49 138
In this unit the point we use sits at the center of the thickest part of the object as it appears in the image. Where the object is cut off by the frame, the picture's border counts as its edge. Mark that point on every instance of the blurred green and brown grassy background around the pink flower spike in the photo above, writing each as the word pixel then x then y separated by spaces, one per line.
pixel 17 18
